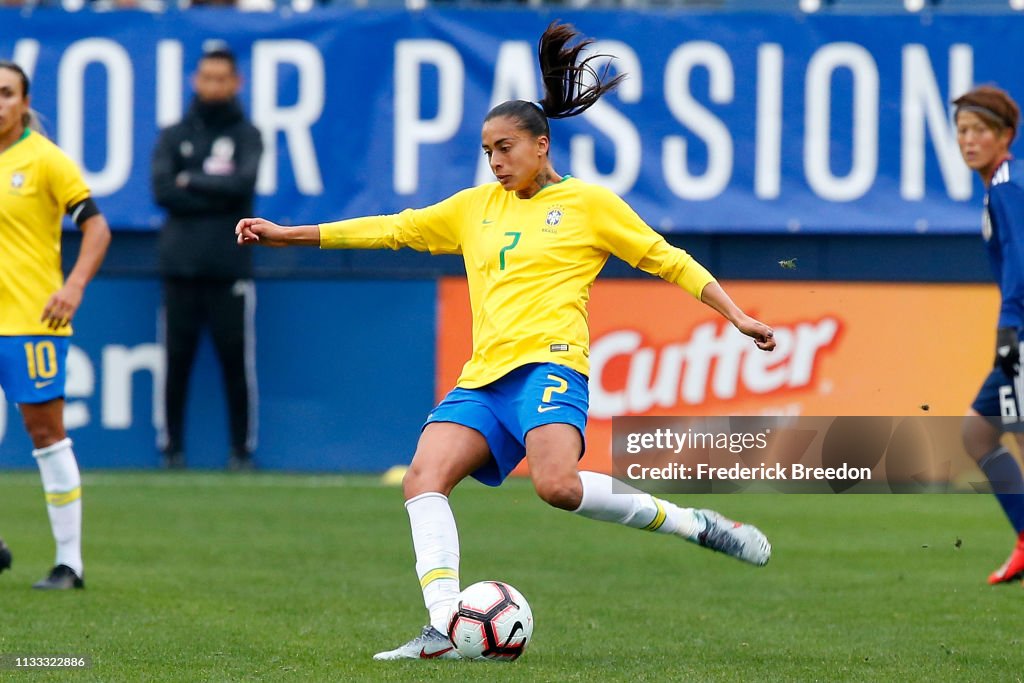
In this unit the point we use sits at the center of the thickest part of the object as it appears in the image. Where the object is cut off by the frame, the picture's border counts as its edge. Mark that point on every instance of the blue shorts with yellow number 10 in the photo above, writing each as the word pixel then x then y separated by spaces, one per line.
pixel 33 368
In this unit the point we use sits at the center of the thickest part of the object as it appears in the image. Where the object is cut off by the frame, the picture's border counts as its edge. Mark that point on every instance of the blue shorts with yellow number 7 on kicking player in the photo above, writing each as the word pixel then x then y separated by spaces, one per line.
pixel 539 394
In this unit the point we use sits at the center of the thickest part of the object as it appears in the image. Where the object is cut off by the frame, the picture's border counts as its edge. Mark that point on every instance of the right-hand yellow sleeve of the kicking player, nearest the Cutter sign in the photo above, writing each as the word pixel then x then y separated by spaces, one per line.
pixel 621 232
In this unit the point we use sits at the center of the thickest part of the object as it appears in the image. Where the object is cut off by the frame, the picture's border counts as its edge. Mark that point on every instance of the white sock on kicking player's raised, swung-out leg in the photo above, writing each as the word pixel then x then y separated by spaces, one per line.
pixel 634 508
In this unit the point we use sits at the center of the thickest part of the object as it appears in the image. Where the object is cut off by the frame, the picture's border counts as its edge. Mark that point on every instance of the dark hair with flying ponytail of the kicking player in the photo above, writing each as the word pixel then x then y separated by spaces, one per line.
pixel 565 93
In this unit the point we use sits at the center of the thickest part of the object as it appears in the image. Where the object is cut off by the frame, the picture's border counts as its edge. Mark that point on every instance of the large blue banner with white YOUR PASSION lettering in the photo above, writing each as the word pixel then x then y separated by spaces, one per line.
pixel 728 122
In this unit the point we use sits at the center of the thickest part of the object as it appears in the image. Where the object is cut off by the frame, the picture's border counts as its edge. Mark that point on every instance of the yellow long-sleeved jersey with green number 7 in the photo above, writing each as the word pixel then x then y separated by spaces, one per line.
pixel 531 265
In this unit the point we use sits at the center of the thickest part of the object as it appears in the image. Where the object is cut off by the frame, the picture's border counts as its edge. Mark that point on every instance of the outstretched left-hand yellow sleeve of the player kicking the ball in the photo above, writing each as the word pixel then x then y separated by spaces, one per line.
pixel 437 229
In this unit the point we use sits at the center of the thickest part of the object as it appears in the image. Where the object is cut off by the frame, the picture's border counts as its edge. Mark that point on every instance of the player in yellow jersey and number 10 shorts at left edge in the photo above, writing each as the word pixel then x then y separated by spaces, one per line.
pixel 39 185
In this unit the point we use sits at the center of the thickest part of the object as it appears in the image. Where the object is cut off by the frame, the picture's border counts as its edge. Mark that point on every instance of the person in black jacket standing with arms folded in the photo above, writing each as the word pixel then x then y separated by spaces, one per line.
pixel 204 174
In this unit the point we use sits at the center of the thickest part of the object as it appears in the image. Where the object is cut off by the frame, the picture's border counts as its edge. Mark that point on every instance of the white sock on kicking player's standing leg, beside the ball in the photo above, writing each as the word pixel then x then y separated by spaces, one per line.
pixel 436 541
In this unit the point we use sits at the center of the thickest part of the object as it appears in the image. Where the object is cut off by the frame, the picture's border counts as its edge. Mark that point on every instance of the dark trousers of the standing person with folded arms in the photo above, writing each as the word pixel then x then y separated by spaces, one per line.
pixel 228 310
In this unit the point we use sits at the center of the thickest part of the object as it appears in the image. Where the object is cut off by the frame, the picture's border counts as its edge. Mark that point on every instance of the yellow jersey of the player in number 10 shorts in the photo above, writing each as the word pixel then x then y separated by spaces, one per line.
pixel 38 184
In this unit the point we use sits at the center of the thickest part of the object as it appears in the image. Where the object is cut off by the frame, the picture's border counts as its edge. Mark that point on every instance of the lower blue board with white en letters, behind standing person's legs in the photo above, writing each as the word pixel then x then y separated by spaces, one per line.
pixel 346 372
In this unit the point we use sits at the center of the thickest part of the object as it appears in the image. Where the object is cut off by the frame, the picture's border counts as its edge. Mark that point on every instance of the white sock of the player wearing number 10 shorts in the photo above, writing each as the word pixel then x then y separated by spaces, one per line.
pixel 63 486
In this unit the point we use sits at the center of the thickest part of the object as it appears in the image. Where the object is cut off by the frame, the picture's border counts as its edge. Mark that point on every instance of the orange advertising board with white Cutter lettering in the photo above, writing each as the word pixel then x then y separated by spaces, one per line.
pixel 857 350
